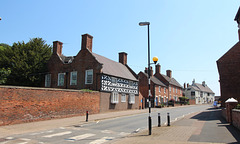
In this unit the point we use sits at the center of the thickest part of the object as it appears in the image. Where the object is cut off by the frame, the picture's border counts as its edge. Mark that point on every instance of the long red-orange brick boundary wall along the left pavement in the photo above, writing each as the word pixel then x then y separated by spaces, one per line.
pixel 24 104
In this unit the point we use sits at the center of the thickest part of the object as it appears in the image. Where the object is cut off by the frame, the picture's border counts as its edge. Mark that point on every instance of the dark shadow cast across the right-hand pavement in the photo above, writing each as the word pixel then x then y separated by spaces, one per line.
pixel 213 114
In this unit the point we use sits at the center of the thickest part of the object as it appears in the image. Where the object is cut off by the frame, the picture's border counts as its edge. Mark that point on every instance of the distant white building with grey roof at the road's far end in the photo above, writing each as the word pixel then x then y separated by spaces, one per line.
pixel 201 93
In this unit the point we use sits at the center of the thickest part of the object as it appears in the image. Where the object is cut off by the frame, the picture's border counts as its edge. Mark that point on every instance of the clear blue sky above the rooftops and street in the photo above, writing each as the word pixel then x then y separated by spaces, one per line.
pixel 188 36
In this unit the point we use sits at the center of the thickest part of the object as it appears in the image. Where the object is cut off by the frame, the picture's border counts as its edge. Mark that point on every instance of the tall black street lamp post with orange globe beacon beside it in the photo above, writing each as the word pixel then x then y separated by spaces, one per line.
pixel 155 59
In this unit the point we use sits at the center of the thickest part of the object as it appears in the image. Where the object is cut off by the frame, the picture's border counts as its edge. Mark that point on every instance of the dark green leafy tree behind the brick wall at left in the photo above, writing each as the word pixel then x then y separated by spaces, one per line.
pixel 27 62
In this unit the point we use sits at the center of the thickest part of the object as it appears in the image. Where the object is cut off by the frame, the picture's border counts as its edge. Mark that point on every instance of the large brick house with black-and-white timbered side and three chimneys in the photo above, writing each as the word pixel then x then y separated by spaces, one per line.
pixel 88 70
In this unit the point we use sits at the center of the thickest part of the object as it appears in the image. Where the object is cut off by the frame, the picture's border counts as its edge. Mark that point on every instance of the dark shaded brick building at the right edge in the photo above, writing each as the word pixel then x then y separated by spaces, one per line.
pixel 229 70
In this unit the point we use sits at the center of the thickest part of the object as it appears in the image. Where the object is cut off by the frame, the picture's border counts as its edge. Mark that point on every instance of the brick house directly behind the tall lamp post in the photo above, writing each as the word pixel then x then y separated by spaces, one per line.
pixel 159 90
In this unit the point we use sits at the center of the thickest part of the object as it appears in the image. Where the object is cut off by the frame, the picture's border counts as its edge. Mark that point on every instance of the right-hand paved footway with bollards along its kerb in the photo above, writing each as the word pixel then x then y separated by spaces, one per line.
pixel 198 128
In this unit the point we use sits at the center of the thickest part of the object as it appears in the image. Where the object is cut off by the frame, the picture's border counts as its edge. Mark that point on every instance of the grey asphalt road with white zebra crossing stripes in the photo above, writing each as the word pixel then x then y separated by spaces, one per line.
pixel 102 131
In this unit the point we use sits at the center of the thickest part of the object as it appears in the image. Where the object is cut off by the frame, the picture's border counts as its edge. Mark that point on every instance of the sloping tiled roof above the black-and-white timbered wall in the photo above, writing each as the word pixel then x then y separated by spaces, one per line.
pixel 114 68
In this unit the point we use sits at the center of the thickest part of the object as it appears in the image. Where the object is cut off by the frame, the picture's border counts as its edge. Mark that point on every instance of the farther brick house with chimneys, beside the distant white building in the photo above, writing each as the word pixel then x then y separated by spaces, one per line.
pixel 174 88
